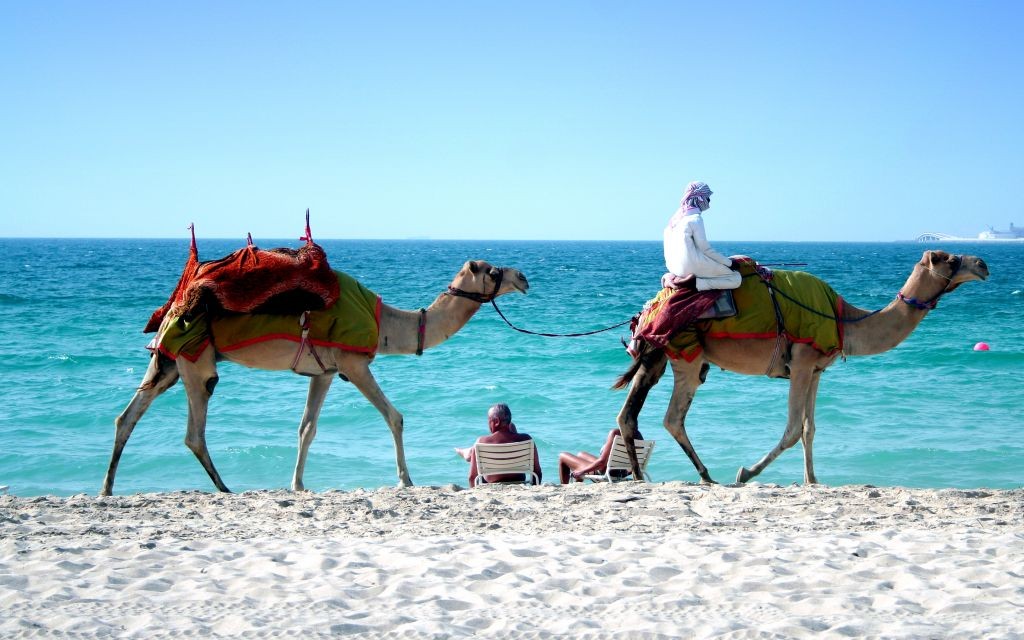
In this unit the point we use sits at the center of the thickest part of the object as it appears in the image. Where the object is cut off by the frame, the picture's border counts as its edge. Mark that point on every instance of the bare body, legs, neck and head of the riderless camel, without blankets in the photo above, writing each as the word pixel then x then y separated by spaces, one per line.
pixel 401 332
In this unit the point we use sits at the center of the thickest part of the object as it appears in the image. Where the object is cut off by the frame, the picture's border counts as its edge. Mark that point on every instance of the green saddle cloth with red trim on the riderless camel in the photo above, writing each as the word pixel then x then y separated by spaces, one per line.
pixel 352 324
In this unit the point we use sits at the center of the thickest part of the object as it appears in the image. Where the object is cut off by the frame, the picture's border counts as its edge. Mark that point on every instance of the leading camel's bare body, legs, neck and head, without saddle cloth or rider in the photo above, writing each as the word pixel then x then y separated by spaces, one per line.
pixel 866 334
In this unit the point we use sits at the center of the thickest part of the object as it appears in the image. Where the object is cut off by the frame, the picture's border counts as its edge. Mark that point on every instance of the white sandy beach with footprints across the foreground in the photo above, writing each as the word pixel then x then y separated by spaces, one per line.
pixel 585 561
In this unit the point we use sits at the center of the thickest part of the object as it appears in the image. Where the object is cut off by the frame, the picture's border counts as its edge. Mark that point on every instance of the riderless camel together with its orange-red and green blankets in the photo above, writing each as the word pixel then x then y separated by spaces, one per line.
pixel 322 358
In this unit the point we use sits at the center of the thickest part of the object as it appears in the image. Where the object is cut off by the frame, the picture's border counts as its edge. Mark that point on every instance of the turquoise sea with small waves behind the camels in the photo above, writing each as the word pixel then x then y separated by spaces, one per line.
pixel 931 413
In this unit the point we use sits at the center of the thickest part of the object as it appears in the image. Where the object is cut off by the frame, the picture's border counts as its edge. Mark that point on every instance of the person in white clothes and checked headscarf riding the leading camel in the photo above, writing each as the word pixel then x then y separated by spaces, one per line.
pixel 687 248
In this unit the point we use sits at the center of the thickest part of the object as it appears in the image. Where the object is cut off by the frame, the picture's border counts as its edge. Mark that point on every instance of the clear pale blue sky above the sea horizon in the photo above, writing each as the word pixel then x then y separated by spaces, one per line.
pixel 568 120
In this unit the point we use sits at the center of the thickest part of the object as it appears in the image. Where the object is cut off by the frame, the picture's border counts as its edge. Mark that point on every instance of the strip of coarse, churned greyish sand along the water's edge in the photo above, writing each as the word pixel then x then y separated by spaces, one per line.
pixel 623 507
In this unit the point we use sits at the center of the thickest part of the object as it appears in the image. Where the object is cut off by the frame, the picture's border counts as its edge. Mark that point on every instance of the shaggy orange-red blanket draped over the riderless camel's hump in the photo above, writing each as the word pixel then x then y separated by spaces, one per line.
pixel 253 280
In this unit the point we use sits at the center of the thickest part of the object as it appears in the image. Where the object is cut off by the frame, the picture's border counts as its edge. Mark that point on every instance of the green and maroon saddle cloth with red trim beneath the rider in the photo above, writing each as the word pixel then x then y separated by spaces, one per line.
pixel 808 308
